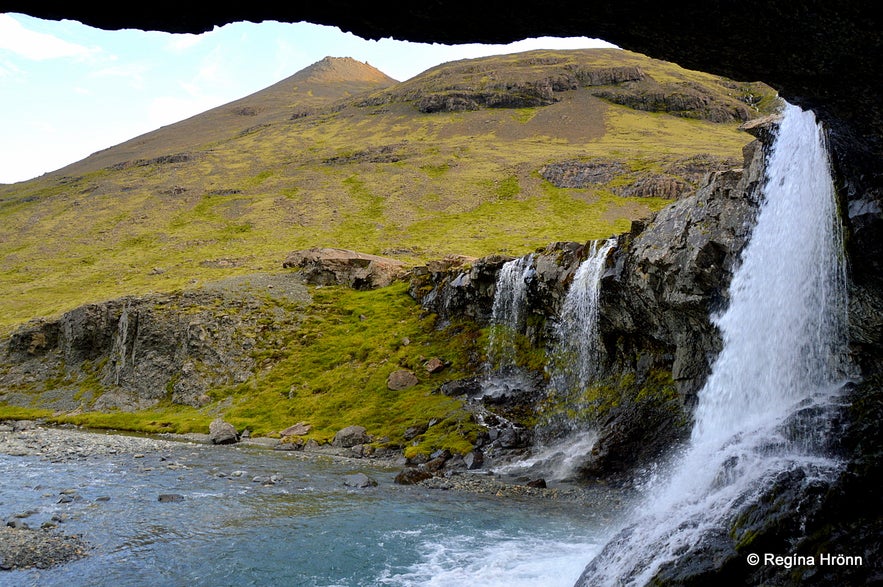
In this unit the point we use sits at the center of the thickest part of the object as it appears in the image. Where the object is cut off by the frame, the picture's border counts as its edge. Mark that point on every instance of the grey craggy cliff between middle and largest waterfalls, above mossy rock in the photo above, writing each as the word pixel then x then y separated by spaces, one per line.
pixel 673 273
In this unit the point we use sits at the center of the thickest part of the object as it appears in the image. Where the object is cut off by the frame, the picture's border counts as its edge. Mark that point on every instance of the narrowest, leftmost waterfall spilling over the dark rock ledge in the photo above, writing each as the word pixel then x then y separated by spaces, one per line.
pixel 507 314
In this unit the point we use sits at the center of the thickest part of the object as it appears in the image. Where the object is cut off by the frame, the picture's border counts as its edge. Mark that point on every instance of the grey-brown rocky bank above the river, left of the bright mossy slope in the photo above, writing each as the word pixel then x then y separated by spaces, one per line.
pixel 133 352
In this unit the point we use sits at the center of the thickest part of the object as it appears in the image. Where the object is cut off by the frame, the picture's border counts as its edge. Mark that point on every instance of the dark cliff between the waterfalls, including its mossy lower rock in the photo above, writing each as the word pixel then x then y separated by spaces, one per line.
pixel 659 288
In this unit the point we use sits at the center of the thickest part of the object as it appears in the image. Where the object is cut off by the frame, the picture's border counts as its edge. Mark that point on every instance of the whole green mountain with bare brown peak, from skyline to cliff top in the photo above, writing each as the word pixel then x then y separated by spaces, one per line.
pixel 501 154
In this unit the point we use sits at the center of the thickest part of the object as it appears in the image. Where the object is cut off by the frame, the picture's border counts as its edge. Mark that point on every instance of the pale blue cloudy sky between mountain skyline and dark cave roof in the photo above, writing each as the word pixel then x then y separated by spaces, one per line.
pixel 68 90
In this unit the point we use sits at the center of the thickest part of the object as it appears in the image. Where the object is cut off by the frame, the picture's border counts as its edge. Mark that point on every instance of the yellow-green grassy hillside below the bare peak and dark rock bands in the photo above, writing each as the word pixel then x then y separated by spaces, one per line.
pixel 462 183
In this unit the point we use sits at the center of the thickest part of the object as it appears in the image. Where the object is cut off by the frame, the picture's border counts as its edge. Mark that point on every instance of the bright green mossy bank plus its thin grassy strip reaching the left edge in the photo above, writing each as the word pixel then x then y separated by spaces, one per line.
pixel 329 370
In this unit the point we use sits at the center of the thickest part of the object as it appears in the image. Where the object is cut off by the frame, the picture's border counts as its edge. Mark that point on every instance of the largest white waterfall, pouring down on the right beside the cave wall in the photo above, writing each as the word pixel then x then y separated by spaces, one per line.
pixel 783 352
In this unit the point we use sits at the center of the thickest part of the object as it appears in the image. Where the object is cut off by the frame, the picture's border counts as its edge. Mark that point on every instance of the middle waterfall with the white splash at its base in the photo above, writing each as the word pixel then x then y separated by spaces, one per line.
pixel 577 348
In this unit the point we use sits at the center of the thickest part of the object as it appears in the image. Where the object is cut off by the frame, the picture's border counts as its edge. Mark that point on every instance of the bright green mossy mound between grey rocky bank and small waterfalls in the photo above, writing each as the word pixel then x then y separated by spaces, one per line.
pixel 332 372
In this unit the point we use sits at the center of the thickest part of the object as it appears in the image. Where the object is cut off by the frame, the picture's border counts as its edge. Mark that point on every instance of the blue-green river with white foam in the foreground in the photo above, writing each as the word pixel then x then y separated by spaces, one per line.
pixel 308 528
